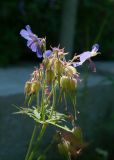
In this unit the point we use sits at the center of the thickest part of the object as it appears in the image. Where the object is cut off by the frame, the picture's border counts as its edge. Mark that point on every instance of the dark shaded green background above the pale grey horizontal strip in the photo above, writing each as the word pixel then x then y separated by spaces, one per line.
pixel 91 21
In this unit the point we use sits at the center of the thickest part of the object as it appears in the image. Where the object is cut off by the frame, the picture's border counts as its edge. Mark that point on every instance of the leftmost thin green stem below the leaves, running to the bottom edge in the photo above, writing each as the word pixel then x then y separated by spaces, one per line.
pixel 31 142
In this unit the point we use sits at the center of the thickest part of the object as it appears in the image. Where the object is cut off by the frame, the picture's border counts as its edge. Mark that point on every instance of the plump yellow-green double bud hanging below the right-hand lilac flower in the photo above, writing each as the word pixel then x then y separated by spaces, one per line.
pixel 67 83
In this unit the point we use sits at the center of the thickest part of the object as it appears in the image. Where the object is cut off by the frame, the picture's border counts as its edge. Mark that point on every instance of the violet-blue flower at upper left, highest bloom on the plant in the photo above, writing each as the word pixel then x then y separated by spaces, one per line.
pixel 33 42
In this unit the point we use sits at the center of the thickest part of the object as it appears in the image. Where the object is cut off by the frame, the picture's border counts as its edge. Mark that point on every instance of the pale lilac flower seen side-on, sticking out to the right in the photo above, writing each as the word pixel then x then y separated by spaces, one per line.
pixel 86 55
